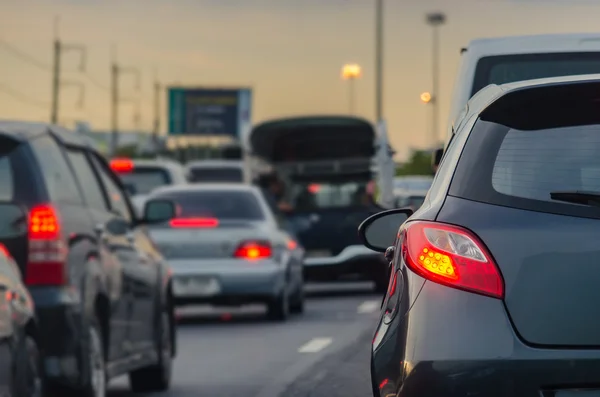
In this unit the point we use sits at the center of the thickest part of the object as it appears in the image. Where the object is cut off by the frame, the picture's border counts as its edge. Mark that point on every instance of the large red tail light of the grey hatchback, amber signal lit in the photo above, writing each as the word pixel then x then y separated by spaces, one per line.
pixel 452 256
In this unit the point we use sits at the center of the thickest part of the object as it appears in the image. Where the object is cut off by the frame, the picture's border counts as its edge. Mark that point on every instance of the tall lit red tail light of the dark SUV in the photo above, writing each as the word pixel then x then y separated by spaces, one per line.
pixel 47 254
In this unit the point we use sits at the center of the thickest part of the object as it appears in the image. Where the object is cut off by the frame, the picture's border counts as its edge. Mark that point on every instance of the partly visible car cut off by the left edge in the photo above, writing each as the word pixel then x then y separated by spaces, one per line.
pixel 20 371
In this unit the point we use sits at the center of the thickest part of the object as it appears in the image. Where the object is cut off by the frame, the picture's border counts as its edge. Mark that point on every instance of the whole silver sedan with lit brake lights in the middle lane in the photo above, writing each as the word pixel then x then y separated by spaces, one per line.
pixel 226 247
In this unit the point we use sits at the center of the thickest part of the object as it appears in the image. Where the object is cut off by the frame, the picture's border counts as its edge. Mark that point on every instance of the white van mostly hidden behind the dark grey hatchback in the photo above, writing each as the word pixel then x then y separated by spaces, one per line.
pixel 509 59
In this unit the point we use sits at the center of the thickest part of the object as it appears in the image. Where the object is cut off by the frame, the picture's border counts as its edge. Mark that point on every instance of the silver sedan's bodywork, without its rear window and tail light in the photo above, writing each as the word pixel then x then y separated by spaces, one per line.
pixel 203 263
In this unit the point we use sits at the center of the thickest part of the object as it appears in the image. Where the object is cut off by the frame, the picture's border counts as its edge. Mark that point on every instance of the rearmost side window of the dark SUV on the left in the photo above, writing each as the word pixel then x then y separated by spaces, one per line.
pixel 57 174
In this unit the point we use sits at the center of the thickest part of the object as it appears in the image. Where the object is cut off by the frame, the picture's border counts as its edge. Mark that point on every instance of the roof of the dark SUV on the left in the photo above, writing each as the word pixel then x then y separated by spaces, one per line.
pixel 26 130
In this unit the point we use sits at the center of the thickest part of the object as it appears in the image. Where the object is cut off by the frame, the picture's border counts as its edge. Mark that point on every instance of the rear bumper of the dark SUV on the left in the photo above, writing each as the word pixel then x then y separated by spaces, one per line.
pixel 60 322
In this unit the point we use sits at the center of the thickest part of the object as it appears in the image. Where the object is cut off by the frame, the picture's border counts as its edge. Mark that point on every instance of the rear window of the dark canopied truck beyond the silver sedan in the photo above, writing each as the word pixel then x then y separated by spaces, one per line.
pixel 310 196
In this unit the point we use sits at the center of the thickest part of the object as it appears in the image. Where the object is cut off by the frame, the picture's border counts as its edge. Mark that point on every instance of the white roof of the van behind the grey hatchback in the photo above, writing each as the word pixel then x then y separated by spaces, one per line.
pixel 541 43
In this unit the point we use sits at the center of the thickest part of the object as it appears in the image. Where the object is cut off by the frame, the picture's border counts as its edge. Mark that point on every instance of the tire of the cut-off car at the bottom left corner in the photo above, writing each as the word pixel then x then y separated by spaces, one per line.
pixel 28 375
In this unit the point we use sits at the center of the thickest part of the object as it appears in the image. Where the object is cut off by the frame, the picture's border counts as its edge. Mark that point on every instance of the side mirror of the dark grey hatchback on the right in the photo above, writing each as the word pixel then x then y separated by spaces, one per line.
pixel 379 231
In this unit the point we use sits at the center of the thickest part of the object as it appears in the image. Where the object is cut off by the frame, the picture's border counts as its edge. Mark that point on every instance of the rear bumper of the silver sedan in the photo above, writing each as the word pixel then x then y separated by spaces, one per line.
pixel 233 281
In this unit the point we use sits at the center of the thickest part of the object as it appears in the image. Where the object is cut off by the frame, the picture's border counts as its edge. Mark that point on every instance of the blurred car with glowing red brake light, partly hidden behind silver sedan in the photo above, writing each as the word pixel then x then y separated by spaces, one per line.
pixel 141 176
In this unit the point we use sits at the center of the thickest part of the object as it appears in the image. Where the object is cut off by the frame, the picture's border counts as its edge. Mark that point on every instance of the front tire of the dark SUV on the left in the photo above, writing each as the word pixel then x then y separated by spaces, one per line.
pixel 157 377
